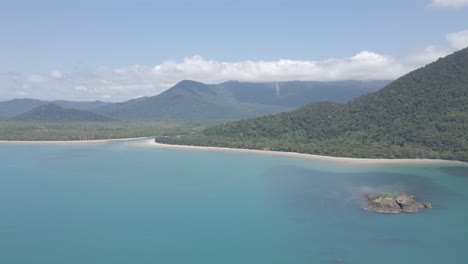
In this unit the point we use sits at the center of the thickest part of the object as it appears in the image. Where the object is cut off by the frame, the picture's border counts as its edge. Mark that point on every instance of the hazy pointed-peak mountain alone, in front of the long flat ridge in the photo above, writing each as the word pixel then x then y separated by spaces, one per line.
pixel 187 101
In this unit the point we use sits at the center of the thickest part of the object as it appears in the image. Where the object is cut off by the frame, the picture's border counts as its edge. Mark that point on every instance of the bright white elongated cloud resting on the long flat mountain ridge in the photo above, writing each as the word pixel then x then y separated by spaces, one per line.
pixel 363 66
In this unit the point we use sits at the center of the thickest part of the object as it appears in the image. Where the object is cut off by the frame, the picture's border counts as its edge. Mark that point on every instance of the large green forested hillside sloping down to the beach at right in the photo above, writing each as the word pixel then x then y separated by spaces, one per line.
pixel 423 114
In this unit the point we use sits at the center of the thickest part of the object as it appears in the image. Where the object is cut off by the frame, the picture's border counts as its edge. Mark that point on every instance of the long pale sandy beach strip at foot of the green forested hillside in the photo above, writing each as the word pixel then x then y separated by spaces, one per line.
pixel 153 144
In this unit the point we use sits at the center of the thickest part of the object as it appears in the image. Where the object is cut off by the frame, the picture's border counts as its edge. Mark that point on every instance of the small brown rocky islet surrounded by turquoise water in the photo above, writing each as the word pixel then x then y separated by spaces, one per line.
pixel 388 204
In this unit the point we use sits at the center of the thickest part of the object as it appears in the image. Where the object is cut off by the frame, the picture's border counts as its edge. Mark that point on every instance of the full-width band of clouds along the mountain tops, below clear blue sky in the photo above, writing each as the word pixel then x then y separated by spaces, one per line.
pixel 118 84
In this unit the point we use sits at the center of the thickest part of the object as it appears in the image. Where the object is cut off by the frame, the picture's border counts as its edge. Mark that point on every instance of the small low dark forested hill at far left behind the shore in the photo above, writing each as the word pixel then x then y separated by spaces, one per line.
pixel 54 113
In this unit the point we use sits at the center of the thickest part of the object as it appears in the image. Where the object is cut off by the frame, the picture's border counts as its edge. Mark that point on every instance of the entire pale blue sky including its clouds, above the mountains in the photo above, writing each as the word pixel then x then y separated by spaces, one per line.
pixel 122 49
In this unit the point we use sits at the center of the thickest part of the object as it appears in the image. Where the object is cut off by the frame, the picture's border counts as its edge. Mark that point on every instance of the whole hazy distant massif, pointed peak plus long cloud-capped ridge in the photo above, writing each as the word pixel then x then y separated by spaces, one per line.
pixel 190 101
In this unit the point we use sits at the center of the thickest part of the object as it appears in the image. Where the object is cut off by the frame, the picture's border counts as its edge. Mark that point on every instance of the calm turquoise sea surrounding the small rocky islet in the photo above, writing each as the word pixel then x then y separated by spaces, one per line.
pixel 115 203
